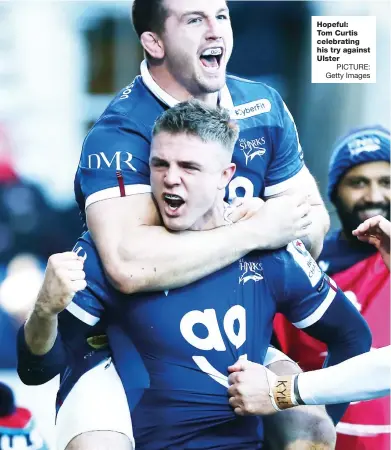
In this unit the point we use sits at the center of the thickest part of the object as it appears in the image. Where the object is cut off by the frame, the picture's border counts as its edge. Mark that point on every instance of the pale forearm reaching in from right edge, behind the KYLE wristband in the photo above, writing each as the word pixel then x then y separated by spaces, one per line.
pixel 336 384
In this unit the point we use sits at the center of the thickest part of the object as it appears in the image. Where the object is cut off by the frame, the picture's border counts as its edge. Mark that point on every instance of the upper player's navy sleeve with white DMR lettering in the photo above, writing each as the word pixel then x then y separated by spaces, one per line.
pixel 114 160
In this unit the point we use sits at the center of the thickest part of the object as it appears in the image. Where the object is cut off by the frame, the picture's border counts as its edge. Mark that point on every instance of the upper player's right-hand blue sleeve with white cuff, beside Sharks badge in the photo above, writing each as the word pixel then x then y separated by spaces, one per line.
pixel 287 156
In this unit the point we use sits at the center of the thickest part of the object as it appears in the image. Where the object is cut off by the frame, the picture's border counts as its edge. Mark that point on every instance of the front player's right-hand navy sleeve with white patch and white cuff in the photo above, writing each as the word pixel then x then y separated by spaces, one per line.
pixel 302 291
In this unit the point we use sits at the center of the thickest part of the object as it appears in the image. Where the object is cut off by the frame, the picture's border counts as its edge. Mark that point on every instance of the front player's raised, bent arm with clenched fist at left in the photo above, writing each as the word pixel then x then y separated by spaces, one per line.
pixel 51 331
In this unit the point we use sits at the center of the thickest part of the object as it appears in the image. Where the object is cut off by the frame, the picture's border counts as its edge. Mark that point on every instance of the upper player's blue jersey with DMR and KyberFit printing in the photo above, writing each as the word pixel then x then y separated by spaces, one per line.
pixel 115 154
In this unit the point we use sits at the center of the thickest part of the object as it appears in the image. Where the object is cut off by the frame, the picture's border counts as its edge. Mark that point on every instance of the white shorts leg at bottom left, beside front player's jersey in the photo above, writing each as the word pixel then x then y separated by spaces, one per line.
pixel 97 402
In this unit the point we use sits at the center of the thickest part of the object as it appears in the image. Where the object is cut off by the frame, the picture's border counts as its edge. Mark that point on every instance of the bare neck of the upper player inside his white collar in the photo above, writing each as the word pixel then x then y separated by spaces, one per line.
pixel 165 80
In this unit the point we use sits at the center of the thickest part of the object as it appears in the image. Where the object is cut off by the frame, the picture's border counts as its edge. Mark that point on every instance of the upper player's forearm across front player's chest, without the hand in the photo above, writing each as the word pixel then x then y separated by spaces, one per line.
pixel 156 259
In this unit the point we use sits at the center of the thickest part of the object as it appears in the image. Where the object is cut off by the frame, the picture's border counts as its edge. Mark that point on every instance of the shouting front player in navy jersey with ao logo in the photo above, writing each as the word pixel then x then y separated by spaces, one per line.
pixel 185 404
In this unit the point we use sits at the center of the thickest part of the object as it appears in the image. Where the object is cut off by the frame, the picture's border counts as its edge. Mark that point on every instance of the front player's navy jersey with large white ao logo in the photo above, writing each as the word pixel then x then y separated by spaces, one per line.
pixel 178 344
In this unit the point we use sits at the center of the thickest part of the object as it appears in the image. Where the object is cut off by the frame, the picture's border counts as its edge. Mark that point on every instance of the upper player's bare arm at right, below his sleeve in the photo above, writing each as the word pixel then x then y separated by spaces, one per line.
pixel 304 183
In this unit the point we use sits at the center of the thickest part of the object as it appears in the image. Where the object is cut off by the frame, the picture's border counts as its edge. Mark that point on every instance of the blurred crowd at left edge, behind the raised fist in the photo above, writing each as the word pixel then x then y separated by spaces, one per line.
pixel 31 229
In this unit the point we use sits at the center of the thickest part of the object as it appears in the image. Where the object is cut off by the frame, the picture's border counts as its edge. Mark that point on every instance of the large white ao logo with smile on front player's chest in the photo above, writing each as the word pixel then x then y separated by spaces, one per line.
pixel 214 340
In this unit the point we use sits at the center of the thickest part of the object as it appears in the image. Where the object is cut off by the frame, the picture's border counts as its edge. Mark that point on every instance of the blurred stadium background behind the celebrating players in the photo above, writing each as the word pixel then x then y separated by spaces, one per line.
pixel 61 63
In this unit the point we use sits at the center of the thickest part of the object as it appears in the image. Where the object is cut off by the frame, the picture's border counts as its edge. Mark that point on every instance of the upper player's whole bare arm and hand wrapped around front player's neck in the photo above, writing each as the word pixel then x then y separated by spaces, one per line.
pixel 141 255
